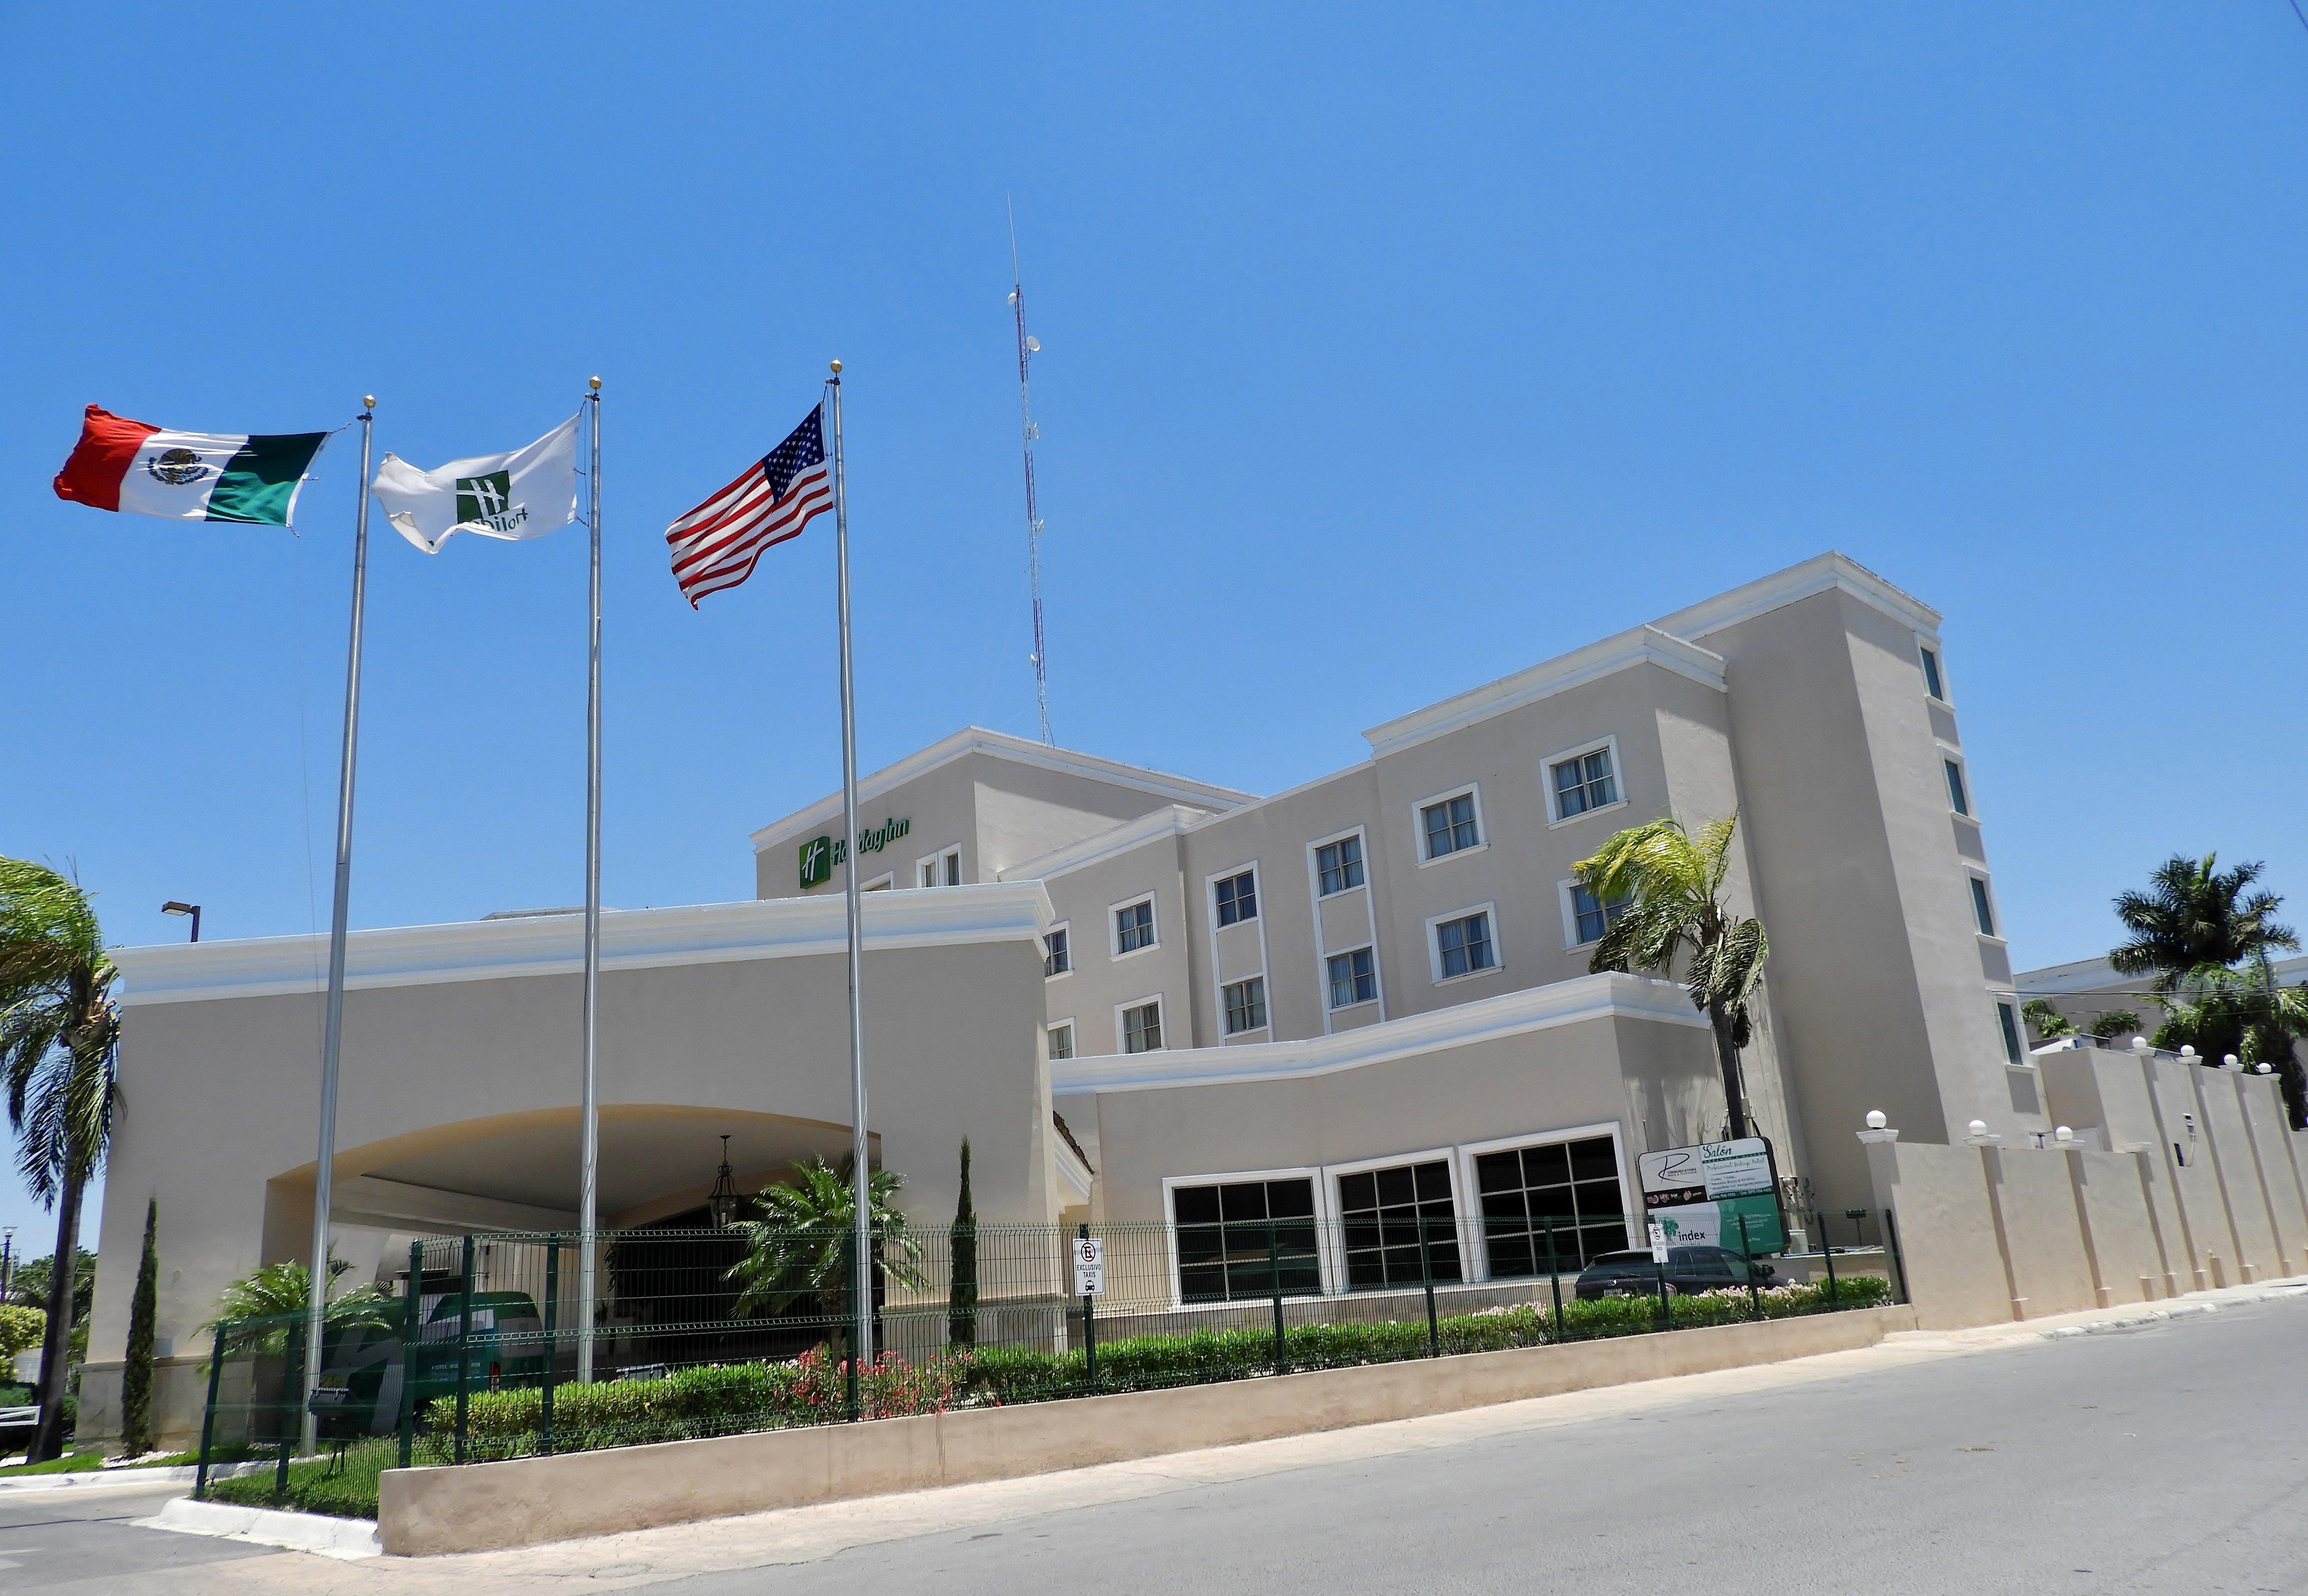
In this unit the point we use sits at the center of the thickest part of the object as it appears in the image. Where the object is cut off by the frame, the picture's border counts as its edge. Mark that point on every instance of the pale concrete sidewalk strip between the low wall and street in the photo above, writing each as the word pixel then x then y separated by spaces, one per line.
pixel 816 1533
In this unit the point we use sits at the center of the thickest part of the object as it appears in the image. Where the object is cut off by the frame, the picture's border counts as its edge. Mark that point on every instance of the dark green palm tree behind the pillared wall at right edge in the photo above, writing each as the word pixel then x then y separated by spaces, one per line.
pixel 2208 942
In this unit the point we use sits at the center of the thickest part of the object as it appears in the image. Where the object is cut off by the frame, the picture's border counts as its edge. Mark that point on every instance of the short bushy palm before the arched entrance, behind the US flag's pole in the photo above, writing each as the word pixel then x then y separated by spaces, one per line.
pixel 804 1242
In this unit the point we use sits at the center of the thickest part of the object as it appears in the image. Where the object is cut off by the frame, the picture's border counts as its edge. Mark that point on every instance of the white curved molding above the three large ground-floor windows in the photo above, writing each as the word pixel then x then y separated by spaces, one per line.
pixel 1511 1014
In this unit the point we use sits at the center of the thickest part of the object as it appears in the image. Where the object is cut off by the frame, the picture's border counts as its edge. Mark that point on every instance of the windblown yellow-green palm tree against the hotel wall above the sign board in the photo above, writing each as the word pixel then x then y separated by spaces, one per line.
pixel 1672 889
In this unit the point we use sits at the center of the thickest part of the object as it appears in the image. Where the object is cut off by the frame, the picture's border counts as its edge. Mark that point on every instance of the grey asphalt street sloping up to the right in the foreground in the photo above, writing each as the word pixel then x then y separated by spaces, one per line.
pixel 2166 1461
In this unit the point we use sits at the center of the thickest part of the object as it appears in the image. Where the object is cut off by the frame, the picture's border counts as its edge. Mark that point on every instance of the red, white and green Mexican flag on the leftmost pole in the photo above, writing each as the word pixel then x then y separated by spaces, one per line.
pixel 188 476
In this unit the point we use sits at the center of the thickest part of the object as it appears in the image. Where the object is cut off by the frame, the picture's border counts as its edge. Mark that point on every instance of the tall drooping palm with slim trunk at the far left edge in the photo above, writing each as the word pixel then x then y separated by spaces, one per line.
pixel 59 1057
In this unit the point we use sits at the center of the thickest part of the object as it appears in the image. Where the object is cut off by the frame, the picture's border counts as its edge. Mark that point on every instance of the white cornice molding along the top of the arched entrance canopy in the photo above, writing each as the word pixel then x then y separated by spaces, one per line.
pixel 417 956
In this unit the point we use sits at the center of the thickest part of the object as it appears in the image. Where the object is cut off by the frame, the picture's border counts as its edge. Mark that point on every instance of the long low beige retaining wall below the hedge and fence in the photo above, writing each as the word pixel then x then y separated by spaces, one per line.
pixel 532 1500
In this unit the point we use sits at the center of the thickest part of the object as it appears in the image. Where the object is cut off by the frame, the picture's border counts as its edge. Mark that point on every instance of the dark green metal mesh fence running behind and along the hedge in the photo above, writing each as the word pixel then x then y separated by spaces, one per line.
pixel 470 1348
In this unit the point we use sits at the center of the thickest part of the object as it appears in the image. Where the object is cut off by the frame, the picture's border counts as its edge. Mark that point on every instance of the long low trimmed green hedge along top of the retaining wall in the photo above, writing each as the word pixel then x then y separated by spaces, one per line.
pixel 735 1399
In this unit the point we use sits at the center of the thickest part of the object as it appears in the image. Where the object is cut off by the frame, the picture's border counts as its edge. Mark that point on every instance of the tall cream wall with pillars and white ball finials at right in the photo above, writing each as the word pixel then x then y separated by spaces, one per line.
pixel 2198 1187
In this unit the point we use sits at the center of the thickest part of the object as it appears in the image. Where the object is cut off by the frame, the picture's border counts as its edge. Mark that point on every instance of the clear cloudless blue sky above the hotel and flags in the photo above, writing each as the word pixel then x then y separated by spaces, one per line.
pixel 1386 352
